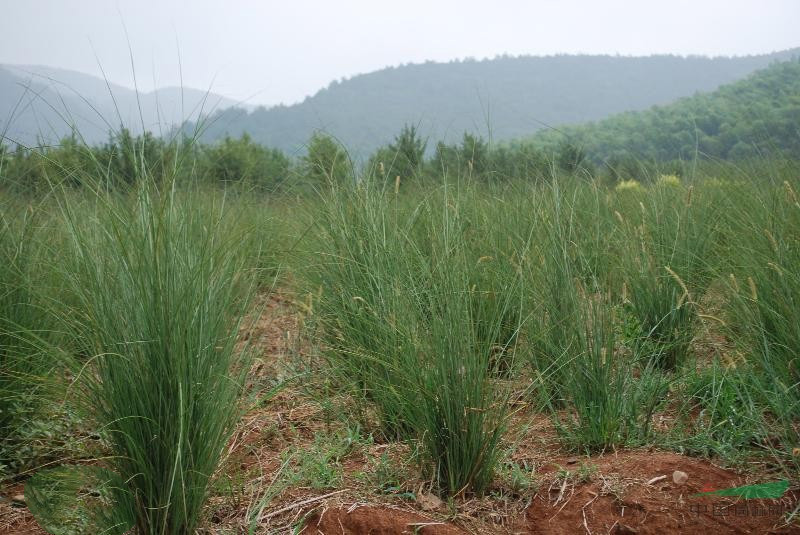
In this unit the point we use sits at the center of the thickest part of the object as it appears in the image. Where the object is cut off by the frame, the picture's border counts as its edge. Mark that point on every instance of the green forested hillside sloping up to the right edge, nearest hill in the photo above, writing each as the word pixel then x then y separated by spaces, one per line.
pixel 755 116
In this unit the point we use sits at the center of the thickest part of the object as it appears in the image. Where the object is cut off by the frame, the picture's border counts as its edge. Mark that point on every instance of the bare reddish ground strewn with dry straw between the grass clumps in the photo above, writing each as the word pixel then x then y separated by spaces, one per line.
pixel 622 492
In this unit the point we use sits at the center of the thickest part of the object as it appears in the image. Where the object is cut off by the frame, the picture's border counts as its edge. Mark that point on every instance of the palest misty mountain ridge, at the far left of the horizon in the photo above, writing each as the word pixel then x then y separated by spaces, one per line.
pixel 39 103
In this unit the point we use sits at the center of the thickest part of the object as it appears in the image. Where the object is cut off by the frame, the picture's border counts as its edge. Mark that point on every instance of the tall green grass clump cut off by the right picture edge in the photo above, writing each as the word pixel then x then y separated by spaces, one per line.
pixel 765 311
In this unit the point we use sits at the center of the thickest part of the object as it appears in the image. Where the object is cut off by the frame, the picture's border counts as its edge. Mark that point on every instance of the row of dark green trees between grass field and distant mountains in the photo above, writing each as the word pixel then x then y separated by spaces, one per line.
pixel 241 162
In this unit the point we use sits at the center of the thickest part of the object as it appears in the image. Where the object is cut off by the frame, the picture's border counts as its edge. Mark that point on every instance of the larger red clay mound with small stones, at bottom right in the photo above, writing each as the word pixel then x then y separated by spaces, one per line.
pixel 619 500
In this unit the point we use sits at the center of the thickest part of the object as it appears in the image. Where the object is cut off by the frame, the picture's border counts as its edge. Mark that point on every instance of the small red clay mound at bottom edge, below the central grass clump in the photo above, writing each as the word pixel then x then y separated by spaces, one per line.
pixel 370 520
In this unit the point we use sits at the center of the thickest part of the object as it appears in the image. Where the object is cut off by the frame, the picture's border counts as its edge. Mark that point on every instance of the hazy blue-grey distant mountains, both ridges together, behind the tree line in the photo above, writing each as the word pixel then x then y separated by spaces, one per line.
pixel 501 99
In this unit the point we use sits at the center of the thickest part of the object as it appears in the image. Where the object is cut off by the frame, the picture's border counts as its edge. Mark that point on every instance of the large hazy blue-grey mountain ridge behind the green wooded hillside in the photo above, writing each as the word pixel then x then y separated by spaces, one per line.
pixel 502 98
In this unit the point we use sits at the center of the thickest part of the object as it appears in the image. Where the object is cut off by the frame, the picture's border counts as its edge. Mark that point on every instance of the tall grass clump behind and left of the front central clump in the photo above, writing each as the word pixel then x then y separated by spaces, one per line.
pixel 365 310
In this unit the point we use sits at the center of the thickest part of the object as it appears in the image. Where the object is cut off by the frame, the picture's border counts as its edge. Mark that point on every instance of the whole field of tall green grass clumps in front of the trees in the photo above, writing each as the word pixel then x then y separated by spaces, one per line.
pixel 431 302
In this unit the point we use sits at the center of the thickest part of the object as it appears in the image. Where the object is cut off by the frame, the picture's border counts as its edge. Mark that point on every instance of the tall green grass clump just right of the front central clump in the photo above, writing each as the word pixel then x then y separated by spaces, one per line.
pixel 600 393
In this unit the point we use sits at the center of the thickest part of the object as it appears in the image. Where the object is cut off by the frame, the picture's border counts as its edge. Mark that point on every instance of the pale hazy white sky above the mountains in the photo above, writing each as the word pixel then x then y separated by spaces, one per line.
pixel 271 52
